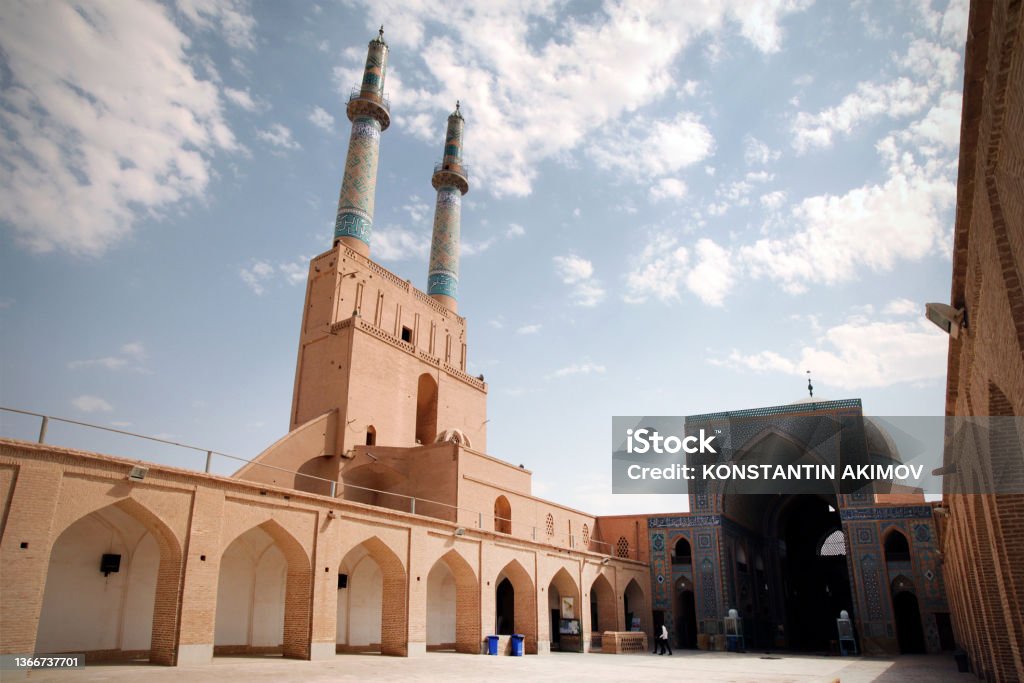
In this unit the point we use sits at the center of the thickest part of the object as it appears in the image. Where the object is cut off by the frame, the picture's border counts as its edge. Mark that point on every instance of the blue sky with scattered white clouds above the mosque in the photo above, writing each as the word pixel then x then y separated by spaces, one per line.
pixel 675 208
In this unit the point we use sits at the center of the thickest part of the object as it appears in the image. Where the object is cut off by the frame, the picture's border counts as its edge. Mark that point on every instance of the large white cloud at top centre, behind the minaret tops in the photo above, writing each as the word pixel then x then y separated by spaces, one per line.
pixel 520 112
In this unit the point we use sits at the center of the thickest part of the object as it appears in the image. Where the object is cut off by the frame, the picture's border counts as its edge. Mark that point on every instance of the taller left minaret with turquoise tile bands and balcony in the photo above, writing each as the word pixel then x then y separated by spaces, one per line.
pixel 368 110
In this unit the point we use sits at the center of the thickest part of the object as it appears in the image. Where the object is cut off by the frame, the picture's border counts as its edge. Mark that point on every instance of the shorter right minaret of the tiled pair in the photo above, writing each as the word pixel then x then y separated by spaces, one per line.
pixel 451 182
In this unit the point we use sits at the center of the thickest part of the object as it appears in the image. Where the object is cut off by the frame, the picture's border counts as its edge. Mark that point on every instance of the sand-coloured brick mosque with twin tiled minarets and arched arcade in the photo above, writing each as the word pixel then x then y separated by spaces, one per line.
pixel 379 524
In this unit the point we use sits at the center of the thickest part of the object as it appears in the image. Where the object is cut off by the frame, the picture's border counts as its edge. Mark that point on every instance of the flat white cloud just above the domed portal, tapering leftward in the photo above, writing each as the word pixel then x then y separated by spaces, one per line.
pixel 861 354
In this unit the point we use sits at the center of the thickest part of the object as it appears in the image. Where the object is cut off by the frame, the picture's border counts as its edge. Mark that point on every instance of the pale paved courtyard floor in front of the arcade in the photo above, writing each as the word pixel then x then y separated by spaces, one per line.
pixel 557 667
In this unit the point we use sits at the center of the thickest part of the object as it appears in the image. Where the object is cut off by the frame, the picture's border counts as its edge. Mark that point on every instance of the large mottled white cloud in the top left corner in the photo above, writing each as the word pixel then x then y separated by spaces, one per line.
pixel 115 124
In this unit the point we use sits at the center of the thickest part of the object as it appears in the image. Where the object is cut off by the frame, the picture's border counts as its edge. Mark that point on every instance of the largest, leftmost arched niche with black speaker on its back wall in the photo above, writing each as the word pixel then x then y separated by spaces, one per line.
pixel 105 574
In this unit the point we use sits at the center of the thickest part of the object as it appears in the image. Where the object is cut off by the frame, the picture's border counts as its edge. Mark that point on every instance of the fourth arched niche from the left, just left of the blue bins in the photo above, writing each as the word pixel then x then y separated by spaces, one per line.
pixel 453 607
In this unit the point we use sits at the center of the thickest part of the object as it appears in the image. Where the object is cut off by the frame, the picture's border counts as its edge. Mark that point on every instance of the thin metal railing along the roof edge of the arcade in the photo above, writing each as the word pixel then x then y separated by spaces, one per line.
pixel 365 495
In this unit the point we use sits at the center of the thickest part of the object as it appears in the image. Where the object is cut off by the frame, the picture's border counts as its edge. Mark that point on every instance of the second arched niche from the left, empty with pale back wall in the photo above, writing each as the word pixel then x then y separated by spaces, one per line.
pixel 264 593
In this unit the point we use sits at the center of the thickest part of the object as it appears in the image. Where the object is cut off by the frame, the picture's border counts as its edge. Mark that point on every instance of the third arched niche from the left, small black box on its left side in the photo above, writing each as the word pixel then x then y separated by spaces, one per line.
pixel 371 606
